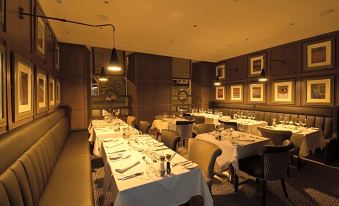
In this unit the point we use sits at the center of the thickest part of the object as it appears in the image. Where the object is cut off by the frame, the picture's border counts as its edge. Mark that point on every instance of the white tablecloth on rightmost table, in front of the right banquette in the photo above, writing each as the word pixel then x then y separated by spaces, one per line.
pixel 307 139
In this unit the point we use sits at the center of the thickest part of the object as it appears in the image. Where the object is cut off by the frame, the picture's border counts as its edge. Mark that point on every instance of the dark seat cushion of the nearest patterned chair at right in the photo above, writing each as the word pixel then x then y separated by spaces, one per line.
pixel 252 165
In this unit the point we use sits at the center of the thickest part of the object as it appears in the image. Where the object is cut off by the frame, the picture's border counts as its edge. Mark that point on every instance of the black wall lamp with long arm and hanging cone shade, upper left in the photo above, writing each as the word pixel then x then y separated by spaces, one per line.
pixel 113 65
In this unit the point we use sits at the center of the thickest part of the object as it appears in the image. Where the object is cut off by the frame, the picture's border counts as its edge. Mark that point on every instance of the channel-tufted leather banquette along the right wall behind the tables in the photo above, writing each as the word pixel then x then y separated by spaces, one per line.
pixel 324 118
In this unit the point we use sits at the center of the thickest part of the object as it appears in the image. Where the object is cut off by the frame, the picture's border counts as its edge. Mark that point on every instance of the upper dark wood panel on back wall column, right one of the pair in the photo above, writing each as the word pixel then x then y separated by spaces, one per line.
pixel 162 68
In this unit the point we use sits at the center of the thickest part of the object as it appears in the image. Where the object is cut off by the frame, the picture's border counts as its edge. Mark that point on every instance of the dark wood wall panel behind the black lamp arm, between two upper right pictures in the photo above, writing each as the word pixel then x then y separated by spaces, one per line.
pixel 285 59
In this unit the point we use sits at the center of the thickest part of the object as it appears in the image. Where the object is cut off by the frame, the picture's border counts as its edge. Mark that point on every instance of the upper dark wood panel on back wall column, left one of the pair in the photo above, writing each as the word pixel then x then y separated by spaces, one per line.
pixel 144 66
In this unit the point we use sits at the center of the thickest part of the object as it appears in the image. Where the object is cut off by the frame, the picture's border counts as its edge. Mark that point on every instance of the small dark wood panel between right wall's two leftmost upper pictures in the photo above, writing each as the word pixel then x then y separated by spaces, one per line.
pixel 237 68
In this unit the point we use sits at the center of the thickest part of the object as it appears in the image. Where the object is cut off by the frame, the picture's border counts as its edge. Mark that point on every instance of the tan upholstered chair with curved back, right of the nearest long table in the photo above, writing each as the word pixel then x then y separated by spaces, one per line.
pixel 204 154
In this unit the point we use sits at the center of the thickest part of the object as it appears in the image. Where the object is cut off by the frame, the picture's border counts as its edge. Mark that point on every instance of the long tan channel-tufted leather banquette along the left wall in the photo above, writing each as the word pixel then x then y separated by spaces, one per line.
pixel 44 163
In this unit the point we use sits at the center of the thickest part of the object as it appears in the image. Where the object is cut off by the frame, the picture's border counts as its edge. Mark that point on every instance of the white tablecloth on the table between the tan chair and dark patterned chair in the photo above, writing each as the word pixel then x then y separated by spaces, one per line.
pixel 239 147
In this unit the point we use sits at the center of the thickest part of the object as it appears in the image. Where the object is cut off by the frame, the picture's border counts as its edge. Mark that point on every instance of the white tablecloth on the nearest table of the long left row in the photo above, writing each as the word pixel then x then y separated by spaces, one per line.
pixel 149 190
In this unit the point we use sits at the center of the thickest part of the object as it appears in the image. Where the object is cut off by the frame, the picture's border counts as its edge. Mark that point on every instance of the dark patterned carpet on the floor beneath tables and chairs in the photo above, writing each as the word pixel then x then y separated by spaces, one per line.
pixel 314 184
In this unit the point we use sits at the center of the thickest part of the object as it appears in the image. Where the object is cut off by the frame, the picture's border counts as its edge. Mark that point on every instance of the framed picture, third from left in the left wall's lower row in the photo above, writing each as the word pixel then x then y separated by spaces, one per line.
pixel 41 90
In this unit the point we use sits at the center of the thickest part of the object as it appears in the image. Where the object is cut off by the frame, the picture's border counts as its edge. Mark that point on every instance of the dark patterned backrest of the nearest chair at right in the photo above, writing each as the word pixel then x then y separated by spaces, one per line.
pixel 275 160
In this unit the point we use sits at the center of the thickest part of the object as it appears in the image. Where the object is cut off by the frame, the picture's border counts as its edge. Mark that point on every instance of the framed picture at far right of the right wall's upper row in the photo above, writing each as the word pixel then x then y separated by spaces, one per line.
pixel 319 55
